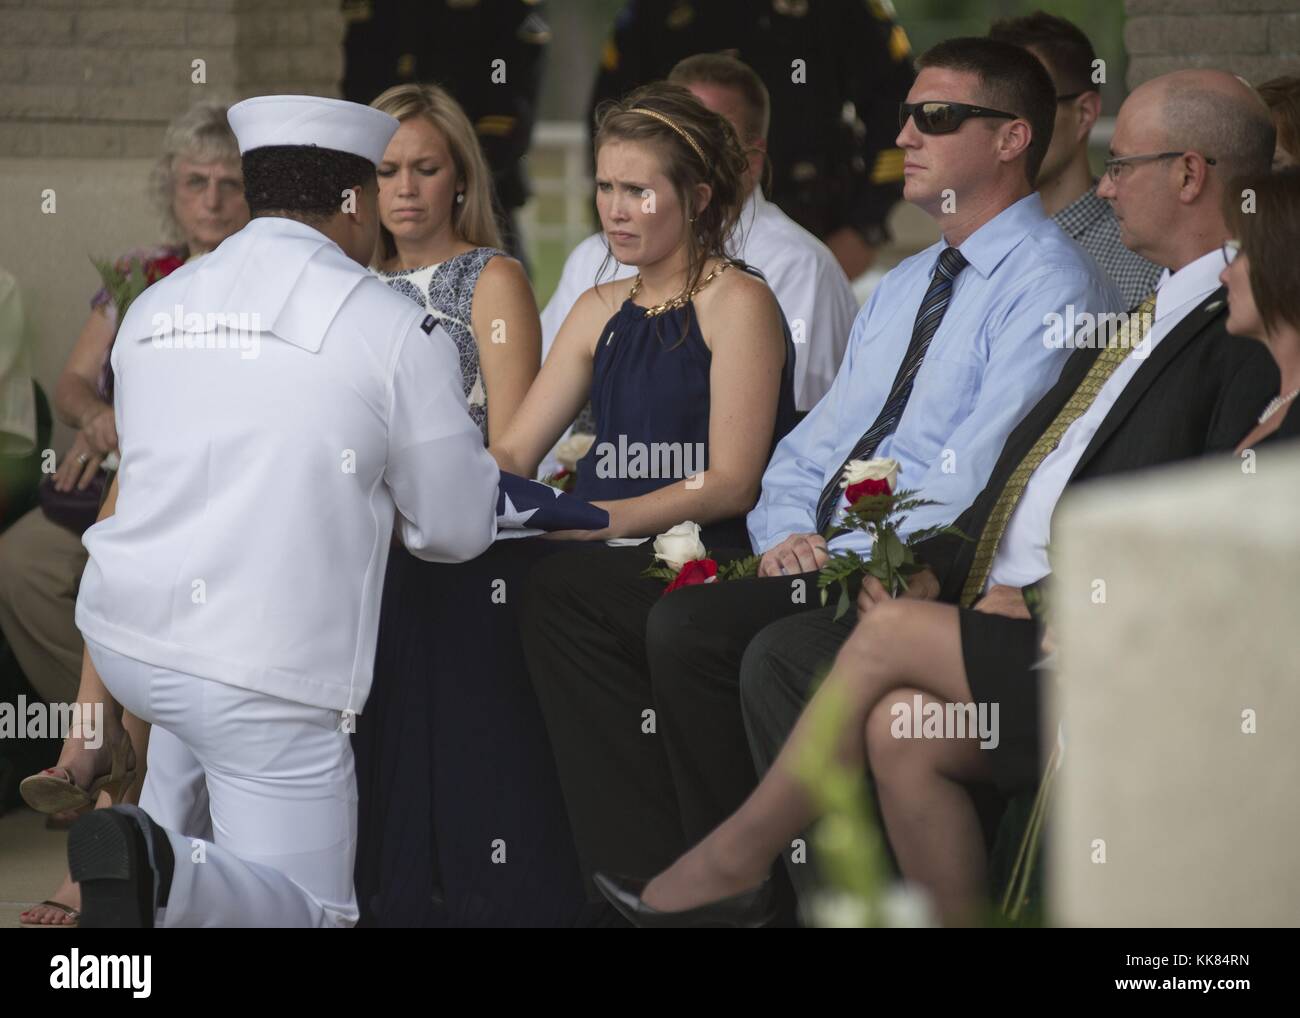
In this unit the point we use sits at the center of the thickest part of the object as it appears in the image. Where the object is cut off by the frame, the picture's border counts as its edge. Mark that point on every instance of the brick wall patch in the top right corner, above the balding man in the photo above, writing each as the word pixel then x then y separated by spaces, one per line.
pixel 1258 40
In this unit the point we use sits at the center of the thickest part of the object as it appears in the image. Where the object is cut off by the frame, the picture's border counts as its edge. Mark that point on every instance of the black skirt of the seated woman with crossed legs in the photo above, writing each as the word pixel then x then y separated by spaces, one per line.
pixel 999 655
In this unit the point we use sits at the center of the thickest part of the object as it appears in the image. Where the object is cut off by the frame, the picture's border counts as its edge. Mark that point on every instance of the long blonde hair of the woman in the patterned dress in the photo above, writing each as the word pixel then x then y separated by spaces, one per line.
pixel 473 220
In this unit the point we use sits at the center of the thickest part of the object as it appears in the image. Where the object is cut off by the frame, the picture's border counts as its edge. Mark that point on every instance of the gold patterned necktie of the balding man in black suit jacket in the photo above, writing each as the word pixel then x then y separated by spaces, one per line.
pixel 1112 357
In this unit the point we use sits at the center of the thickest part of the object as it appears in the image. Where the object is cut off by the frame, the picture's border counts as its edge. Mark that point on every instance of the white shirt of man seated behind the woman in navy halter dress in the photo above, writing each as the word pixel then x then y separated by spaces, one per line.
pixel 808 281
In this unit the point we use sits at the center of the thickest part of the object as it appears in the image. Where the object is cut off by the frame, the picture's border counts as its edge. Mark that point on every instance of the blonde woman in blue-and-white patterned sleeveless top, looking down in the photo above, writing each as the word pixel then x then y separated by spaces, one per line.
pixel 440 246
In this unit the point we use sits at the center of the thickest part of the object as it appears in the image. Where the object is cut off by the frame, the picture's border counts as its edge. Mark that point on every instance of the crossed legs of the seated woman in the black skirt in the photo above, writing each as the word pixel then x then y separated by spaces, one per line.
pixel 899 649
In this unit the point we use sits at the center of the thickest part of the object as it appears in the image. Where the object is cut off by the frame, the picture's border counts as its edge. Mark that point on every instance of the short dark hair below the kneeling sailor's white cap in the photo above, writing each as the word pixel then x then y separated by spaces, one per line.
pixel 302 181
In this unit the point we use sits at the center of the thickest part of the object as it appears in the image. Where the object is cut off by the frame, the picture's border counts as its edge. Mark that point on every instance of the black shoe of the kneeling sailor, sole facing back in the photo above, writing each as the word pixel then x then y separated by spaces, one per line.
pixel 124 864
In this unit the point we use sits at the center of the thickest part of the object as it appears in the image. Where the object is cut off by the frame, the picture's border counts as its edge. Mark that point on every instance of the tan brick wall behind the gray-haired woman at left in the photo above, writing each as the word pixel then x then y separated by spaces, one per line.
pixel 86 92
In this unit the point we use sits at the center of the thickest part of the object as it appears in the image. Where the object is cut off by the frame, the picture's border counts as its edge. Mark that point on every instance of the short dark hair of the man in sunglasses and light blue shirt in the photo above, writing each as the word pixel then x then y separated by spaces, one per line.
pixel 1011 80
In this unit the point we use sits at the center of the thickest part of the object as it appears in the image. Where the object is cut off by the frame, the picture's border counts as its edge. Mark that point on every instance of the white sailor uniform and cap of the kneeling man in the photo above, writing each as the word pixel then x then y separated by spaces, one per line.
pixel 279 410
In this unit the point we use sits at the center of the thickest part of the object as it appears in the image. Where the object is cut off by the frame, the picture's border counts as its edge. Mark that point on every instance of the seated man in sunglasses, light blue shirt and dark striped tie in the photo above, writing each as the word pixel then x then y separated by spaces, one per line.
pixel 950 354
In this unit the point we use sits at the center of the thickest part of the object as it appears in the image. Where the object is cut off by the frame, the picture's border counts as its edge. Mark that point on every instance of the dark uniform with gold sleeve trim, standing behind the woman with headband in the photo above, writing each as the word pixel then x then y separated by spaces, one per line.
pixel 837 72
